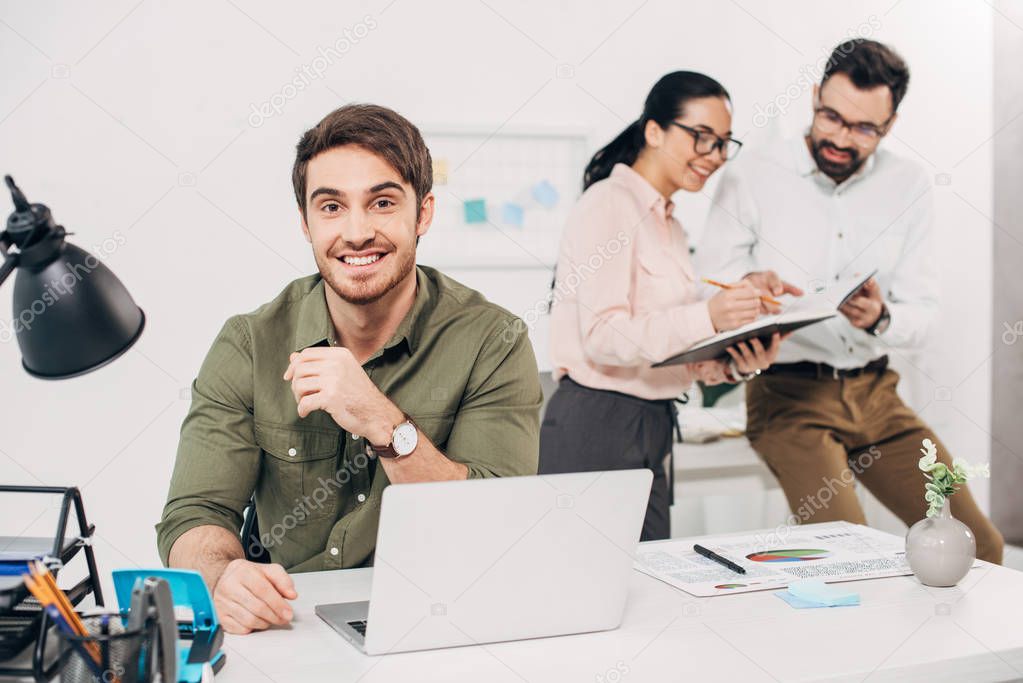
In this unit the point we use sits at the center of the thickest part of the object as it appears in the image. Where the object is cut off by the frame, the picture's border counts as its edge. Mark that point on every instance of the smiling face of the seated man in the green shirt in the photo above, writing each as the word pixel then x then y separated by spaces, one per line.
pixel 363 219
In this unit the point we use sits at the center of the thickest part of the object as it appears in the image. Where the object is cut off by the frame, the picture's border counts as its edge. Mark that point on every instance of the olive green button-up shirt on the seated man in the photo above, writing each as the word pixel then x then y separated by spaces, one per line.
pixel 461 367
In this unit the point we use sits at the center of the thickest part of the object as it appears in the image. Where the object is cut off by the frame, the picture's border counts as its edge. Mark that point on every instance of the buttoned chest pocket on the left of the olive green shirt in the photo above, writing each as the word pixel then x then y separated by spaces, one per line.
pixel 300 468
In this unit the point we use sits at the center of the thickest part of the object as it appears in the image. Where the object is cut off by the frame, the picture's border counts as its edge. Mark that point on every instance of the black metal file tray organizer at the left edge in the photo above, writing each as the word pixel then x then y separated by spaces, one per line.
pixel 23 622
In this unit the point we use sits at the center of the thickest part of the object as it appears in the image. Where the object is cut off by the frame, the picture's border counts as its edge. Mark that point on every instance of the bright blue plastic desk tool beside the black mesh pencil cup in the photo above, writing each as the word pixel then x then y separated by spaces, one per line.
pixel 192 622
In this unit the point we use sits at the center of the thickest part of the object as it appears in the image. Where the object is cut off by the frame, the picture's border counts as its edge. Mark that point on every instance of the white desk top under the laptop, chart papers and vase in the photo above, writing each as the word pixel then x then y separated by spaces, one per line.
pixel 902 632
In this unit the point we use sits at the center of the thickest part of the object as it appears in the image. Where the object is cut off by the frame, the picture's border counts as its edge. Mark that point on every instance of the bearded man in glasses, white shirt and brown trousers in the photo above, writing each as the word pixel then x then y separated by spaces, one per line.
pixel 818 209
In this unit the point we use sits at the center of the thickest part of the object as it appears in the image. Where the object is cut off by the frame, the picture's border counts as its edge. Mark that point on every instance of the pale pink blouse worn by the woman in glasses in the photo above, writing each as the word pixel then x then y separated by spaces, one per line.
pixel 626 295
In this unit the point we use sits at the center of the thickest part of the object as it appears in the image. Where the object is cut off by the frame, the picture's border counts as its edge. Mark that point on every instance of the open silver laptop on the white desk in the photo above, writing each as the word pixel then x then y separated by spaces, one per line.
pixel 490 561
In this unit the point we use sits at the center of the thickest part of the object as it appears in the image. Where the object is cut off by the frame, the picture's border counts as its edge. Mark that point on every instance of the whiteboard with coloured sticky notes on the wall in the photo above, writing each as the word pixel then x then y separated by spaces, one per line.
pixel 501 167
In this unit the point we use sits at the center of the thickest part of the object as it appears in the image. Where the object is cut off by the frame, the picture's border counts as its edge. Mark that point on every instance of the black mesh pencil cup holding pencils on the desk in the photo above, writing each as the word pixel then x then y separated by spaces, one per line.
pixel 114 657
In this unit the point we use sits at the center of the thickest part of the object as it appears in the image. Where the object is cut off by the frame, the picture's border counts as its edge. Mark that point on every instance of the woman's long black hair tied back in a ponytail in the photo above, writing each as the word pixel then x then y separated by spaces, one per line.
pixel 666 102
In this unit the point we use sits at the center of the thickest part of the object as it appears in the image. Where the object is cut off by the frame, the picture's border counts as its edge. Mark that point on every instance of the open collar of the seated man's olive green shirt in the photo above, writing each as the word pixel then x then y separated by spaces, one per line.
pixel 316 328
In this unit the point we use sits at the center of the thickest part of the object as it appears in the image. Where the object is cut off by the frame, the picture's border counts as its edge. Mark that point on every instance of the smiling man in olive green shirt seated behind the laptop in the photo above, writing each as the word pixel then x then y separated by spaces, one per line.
pixel 374 372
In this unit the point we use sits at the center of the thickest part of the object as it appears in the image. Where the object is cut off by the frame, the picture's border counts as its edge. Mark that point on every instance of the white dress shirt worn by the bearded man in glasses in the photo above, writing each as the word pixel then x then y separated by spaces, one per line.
pixel 777 211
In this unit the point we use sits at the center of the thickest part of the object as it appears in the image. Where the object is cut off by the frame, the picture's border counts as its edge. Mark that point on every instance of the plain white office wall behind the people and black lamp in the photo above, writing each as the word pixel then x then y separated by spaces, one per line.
pixel 136 121
